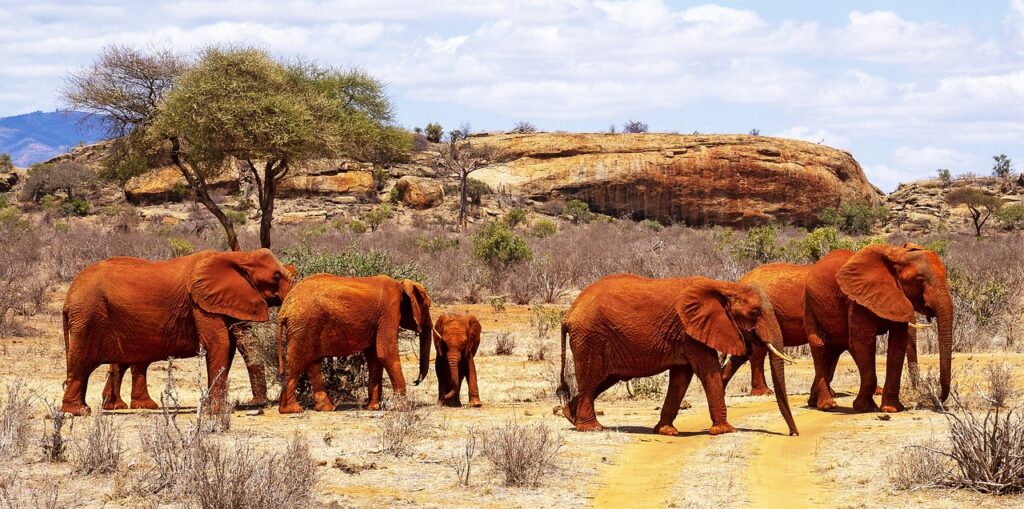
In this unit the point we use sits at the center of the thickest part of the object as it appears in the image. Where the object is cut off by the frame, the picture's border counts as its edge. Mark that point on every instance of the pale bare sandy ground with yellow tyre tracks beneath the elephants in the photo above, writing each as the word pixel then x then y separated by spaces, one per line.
pixel 838 461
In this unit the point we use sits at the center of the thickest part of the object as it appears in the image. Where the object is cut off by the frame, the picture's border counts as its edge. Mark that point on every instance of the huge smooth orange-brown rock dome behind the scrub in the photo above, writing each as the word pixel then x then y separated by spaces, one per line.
pixel 697 180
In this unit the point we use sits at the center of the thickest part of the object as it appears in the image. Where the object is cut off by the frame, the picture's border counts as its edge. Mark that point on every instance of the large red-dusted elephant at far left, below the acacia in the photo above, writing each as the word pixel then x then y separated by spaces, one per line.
pixel 132 312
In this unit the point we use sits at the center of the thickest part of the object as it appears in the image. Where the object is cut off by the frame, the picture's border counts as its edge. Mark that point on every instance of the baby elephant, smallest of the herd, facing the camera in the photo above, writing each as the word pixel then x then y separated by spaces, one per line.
pixel 456 340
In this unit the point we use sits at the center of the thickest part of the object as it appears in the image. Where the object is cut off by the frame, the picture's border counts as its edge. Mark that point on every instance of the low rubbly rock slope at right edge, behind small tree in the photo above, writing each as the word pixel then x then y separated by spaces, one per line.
pixel 921 207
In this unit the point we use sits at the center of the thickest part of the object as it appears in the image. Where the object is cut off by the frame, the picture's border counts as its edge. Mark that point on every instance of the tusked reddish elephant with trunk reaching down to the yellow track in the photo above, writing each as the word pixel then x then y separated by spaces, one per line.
pixel 625 326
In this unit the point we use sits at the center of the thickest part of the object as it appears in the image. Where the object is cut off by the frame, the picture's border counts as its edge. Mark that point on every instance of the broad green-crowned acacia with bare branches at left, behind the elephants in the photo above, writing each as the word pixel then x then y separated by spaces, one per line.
pixel 240 106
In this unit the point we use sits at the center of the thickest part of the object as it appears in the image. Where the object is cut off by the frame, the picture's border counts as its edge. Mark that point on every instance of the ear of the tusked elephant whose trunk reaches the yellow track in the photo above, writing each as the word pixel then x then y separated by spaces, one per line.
pixel 702 308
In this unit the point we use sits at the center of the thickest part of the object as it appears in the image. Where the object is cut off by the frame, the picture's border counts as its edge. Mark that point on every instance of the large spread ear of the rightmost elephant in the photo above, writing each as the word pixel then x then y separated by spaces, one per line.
pixel 869 279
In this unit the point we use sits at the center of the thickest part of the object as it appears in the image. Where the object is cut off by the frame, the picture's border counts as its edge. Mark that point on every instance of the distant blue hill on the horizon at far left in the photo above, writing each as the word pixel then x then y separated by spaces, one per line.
pixel 37 137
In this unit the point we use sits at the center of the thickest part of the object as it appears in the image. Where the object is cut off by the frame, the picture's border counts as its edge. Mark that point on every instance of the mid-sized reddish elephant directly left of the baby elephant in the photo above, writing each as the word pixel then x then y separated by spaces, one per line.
pixel 331 316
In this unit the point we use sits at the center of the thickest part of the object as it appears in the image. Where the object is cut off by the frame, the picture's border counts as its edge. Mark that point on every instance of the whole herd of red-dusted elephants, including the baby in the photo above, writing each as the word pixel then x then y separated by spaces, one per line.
pixel 130 313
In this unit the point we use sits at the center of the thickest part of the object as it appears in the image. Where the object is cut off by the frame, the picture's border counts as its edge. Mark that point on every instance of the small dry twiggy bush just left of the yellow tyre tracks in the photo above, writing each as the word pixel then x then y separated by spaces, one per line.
pixel 524 455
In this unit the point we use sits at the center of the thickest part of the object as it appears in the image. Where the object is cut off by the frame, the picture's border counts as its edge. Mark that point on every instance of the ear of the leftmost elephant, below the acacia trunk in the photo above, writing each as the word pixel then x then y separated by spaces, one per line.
pixel 221 285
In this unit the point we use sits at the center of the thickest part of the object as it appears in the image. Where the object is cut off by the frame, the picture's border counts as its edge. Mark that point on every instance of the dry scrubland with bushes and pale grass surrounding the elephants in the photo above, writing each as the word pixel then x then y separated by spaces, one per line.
pixel 519 282
